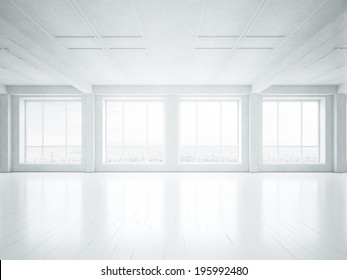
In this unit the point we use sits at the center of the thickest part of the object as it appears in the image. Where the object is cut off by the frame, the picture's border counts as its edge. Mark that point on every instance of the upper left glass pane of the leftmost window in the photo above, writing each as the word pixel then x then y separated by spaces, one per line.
pixel 33 121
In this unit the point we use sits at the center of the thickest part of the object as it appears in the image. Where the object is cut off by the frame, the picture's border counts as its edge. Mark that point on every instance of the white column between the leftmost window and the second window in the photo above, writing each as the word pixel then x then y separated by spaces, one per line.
pixel 89 132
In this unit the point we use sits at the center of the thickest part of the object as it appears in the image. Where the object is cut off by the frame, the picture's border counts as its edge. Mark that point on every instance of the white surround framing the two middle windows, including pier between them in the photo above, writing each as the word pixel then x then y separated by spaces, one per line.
pixel 171 115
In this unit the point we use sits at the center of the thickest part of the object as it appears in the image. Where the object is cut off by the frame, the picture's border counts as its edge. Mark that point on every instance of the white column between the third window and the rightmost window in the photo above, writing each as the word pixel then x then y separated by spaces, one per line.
pixel 254 132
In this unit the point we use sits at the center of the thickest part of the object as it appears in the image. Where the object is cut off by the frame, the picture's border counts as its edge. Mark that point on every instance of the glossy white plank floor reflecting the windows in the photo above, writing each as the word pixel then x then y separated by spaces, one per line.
pixel 173 216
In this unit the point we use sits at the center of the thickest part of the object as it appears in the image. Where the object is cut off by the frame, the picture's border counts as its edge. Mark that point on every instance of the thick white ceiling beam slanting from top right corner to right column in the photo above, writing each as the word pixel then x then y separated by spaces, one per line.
pixel 296 47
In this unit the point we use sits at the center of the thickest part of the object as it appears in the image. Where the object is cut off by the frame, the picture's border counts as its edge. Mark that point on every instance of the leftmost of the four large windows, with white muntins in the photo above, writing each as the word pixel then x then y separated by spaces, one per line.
pixel 51 131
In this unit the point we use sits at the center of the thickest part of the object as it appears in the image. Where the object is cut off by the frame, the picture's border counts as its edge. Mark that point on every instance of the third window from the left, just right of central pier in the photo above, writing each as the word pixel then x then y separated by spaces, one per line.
pixel 209 131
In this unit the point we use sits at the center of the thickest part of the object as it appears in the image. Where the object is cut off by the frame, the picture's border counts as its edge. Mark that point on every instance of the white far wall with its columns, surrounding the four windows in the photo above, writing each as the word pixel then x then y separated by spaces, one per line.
pixel 251 126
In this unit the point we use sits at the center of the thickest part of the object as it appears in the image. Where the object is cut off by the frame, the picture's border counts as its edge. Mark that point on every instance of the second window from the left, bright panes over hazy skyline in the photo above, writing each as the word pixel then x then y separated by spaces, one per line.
pixel 133 131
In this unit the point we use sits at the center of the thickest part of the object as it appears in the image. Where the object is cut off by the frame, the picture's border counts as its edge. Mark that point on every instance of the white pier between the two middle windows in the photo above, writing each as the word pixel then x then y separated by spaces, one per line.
pixel 172 132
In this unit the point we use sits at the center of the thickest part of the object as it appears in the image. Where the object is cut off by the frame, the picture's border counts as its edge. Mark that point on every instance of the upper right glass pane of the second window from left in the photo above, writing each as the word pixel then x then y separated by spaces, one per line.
pixel 155 124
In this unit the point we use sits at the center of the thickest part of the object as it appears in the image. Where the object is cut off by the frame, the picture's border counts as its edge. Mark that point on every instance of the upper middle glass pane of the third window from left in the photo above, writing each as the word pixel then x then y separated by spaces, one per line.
pixel 208 124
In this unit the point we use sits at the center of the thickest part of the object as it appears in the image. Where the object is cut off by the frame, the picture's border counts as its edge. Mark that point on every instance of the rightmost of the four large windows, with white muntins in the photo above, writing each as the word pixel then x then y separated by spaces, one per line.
pixel 291 131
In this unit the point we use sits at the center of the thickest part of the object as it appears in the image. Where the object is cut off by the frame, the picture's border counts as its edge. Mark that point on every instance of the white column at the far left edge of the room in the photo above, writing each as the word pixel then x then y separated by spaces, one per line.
pixel 5 132
